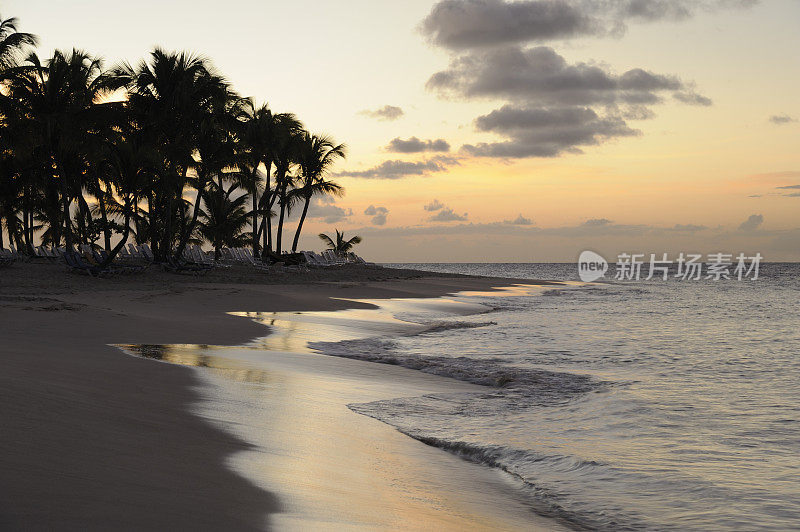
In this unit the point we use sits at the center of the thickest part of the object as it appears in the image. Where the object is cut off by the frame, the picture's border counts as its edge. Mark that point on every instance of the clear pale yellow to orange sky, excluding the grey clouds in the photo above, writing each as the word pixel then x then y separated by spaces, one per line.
pixel 712 167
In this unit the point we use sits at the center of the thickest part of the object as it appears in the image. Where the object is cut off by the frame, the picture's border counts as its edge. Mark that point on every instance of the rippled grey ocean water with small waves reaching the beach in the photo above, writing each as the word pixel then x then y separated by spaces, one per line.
pixel 641 405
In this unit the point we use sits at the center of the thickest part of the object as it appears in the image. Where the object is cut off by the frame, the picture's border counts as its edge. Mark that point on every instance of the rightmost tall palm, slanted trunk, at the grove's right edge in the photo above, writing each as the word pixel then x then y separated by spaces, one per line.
pixel 316 154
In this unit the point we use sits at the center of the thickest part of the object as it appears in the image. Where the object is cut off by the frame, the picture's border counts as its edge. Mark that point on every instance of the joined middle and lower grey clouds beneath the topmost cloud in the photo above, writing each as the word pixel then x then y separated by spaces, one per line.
pixel 555 104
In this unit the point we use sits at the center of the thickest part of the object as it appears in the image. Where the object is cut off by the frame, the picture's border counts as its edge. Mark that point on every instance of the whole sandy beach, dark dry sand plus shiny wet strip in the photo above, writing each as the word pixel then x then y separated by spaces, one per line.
pixel 95 439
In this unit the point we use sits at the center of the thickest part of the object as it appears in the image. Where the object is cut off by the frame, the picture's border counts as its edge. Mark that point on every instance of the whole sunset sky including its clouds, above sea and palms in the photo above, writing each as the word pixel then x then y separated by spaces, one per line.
pixel 492 131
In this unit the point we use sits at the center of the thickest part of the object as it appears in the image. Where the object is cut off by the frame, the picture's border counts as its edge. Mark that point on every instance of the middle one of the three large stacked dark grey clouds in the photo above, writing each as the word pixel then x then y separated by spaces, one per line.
pixel 542 76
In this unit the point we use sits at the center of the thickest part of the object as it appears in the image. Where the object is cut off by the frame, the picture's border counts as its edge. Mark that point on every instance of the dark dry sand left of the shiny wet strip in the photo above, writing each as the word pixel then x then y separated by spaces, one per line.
pixel 95 439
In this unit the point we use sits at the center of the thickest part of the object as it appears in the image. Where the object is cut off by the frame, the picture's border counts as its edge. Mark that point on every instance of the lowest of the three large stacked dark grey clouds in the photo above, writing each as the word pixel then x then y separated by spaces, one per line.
pixel 545 132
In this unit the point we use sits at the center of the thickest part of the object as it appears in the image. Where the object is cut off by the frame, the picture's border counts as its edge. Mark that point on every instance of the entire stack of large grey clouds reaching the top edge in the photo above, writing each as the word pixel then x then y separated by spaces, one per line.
pixel 579 104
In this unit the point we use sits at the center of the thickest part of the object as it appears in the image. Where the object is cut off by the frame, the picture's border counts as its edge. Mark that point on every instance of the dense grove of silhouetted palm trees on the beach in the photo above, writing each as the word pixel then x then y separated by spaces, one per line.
pixel 164 152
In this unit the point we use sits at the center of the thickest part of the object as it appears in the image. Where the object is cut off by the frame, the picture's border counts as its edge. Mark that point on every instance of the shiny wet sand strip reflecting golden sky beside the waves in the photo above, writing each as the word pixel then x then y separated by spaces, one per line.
pixel 330 467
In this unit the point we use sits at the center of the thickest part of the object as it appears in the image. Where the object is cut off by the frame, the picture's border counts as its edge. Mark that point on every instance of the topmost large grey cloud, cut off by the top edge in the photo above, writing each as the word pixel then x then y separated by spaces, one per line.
pixel 463 24
